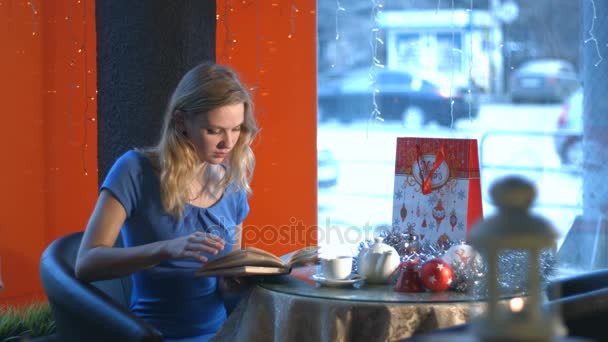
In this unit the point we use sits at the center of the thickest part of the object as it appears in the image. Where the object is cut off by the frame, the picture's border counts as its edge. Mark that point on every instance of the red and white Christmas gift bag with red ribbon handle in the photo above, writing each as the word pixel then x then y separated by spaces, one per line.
pixel 437 190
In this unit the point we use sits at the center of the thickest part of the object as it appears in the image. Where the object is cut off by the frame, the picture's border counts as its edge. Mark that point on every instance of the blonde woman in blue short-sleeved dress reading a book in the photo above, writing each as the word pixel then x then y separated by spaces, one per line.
pixel 178 204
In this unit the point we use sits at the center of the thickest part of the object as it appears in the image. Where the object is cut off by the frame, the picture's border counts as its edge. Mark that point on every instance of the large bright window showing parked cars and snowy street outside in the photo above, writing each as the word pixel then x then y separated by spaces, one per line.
pixel 527 121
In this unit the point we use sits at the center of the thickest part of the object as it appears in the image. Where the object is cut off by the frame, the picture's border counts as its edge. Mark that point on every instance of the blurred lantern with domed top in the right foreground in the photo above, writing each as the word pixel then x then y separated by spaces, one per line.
pixel 513 227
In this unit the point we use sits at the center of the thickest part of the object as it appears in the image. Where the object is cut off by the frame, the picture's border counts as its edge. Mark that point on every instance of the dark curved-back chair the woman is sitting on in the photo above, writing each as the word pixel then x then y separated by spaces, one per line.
pixel 83 311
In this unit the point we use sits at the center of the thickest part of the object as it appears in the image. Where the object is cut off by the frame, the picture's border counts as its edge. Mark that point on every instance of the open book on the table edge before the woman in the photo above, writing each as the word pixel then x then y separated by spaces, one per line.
pixel 254 261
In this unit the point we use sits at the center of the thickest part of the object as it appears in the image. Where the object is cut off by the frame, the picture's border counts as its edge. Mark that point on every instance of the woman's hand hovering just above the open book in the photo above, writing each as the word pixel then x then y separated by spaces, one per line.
pixel 191 246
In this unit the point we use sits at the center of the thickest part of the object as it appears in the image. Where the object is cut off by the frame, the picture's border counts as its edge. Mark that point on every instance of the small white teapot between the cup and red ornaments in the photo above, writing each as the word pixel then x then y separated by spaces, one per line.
pixel 378 262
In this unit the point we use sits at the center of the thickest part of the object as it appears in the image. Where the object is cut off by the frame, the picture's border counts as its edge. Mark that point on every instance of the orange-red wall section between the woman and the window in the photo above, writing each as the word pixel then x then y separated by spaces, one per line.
pixel 272 44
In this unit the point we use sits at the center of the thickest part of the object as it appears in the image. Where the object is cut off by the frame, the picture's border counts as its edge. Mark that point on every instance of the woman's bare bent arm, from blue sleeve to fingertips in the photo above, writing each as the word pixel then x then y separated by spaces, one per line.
pixel 98 259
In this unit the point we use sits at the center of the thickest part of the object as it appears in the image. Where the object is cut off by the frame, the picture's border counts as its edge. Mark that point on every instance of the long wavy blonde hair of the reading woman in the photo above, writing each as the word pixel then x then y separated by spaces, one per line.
pixel 202 89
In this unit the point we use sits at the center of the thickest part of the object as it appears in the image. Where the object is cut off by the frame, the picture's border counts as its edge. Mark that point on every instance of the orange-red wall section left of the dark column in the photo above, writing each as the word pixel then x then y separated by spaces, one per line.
pixel 48 140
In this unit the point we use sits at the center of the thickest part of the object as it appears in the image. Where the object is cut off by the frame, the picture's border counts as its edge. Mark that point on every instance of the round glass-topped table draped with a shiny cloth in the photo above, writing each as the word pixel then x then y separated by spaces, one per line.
pixel 294 308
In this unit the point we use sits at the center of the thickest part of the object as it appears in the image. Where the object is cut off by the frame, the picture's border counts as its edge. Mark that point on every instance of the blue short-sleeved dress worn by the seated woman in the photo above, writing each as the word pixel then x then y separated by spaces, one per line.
pixel 169 296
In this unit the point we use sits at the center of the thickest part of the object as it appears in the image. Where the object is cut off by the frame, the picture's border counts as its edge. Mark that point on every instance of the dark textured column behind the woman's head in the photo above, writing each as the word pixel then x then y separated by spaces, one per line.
pixel 143 49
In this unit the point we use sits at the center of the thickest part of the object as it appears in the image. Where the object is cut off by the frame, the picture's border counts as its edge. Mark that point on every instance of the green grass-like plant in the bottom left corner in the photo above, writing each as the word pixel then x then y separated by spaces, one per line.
pixel 31 320
